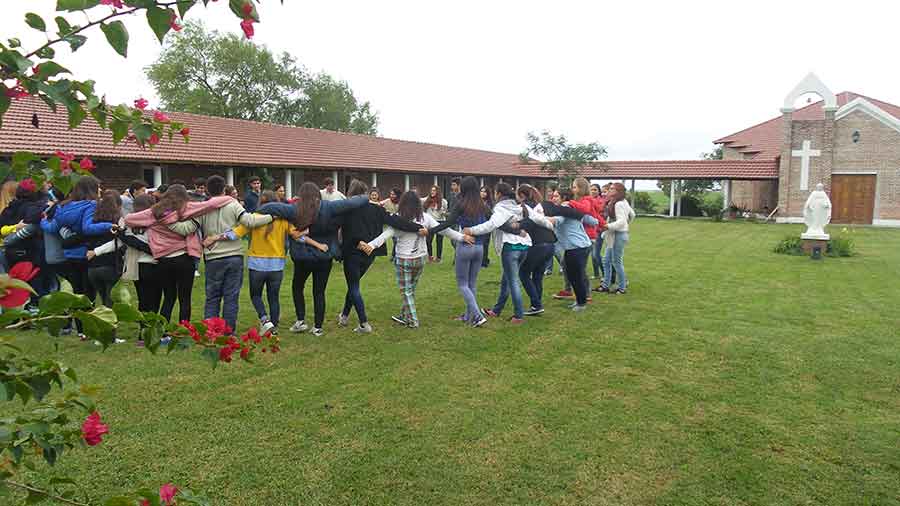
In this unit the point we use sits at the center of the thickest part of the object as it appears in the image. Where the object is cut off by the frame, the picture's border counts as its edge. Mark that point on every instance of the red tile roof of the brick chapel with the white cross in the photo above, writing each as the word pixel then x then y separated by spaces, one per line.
pixel 763 141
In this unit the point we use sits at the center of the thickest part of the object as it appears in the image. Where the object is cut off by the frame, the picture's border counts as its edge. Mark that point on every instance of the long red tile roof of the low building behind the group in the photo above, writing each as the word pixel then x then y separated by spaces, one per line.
pixel 230 142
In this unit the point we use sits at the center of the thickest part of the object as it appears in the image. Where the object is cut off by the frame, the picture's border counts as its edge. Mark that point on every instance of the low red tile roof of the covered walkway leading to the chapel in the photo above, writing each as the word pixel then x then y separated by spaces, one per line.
pixel 674 169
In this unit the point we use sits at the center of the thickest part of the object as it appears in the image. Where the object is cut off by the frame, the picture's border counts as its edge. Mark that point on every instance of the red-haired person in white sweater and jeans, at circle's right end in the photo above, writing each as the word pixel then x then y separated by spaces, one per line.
pixel 616 237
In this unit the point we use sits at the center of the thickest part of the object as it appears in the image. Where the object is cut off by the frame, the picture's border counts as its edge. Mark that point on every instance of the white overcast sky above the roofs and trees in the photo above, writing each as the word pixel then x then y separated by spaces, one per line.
pixel 649 79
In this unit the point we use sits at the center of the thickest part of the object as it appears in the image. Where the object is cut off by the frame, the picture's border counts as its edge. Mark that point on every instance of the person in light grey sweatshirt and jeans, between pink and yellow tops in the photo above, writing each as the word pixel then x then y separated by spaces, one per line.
pixel 224 259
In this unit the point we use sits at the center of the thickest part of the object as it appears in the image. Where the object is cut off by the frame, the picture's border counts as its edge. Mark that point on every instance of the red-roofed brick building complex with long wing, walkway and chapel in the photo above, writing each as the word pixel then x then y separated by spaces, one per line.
pixel 847 142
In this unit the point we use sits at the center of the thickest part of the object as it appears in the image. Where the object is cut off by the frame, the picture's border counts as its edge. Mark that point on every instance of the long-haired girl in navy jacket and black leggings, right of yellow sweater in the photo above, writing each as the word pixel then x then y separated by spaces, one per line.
pixel 322 219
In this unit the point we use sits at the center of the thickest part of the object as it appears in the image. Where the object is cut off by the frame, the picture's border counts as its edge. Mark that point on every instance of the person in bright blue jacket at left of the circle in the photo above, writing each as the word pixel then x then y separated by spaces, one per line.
pixel 74 219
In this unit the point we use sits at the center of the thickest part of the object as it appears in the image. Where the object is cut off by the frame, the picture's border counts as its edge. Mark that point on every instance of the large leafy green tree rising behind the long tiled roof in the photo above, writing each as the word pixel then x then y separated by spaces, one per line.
pixel 207 72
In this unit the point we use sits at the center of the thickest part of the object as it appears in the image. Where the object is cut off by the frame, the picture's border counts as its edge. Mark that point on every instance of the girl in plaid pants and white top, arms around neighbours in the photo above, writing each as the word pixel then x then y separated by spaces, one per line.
pixel 412 253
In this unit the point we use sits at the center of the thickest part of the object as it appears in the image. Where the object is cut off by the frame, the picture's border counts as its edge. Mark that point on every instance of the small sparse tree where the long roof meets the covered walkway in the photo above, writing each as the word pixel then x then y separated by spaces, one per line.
pixel 558 157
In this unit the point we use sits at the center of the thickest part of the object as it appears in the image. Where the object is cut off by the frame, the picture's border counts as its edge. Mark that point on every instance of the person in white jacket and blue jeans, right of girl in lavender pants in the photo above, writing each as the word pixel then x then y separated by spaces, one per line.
pixel 511 246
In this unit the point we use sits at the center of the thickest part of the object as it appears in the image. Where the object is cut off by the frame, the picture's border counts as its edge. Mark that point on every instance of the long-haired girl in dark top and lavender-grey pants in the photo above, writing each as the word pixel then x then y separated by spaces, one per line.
pixel 468 211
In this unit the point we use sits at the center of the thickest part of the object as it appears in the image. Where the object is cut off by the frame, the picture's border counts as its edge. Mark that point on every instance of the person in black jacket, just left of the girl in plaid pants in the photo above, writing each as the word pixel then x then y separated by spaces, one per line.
pixel 362 225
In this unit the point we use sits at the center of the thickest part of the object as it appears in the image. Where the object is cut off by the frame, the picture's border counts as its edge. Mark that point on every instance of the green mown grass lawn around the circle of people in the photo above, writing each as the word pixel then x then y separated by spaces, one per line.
pixel 727 375
